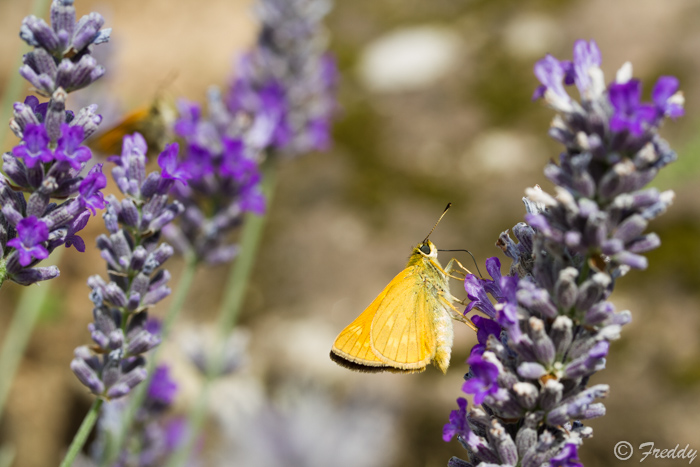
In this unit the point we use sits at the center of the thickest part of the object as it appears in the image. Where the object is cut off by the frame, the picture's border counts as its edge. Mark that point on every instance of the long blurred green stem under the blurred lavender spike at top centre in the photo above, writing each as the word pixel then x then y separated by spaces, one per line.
pixel 229 312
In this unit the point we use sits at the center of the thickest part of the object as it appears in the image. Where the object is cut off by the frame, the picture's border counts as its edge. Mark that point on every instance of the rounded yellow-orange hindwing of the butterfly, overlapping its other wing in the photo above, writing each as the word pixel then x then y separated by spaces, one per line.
pixel 402 333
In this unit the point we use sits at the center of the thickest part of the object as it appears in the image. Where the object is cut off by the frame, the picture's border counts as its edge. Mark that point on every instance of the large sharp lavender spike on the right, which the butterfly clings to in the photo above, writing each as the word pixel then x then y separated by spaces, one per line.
pixel 552 325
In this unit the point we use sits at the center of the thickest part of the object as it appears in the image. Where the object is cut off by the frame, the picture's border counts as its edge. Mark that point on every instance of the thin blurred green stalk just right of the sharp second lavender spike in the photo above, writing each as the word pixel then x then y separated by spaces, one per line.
pixel 138 395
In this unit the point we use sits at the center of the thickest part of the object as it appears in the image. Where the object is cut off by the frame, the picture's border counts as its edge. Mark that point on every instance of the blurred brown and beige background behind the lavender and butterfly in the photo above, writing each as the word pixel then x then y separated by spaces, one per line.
pixel 434 107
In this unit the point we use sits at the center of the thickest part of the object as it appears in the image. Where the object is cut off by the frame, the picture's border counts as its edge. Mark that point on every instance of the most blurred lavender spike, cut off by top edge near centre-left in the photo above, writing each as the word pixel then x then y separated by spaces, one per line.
pixel 287 81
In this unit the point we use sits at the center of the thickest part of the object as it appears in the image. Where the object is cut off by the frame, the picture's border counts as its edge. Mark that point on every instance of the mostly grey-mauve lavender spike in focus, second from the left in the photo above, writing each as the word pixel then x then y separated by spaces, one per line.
pixel 122 332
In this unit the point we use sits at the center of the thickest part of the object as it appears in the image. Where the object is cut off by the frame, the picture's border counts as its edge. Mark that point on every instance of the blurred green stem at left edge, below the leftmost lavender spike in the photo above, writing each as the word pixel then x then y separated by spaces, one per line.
pixel 17 336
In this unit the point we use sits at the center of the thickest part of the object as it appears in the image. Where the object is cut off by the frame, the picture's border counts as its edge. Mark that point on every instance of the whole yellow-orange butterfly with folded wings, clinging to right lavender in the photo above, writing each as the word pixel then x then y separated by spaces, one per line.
pixel 408 326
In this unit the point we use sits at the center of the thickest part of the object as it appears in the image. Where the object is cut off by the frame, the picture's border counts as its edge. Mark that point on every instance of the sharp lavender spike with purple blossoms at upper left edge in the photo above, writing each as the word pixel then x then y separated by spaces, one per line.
pixel 47 164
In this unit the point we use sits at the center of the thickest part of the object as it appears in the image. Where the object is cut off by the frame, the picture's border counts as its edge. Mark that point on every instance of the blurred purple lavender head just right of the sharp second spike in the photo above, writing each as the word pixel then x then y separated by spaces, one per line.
pixel 221 171
